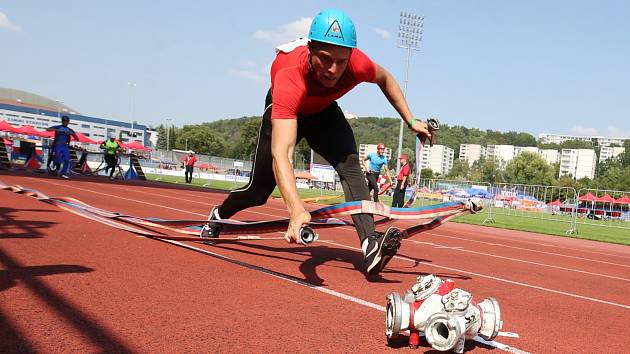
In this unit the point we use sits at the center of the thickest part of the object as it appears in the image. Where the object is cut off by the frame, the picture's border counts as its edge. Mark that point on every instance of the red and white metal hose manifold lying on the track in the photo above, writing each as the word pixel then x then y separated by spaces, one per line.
pixel 446 315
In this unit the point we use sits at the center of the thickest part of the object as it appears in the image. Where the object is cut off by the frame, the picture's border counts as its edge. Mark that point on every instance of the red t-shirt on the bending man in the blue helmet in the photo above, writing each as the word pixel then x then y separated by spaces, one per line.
pixel 296 91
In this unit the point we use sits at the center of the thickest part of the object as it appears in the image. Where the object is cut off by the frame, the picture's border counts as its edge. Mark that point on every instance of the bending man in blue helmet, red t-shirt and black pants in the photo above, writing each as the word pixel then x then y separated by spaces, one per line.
pixel 307 77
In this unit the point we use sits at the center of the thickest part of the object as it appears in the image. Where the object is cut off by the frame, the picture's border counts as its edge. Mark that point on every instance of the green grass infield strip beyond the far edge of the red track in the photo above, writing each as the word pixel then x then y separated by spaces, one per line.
pixel 556 227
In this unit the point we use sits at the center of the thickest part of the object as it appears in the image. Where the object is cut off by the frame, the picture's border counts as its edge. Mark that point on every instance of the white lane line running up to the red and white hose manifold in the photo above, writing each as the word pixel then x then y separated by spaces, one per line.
pixel 324 290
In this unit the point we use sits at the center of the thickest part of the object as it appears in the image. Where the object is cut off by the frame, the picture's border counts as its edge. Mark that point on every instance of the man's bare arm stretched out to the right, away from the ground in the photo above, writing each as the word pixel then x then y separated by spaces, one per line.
pixel 394 95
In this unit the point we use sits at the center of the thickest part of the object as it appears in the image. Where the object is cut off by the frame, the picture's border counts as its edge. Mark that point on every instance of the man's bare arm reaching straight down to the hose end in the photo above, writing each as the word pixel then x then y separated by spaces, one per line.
pixel 283 137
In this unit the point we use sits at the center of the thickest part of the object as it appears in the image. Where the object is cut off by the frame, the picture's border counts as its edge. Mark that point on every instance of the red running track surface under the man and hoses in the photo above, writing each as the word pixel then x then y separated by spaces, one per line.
pixel 68 284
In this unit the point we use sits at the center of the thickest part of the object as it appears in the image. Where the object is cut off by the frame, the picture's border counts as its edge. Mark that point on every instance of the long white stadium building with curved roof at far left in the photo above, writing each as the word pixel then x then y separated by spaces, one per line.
pixel 21 108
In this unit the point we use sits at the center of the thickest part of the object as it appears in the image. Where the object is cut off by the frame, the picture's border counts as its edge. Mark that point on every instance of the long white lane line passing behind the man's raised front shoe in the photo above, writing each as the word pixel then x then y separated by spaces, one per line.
pixel 400 257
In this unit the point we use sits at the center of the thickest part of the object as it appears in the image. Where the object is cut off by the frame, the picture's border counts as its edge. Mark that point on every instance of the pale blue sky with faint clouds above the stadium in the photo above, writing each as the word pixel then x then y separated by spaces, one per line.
pixel 532 66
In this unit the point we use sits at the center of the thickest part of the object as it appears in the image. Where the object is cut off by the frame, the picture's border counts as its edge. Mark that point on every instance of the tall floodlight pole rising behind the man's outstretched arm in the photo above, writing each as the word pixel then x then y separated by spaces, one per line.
pixel 410 30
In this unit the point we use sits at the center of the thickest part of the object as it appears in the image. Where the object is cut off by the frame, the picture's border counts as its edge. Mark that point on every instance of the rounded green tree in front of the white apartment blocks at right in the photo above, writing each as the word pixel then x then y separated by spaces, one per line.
pixel 529 168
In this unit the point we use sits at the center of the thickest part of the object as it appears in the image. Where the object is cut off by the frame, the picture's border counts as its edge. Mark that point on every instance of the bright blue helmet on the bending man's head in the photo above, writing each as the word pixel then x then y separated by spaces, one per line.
pixel 335 27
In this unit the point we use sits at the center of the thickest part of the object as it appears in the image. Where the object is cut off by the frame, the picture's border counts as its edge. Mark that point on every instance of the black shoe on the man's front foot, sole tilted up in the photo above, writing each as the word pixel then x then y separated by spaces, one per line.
pixel 379 249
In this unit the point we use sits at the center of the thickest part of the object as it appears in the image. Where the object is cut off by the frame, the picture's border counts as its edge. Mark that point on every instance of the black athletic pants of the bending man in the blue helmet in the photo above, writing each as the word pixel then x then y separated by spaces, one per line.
pixel 329 134
